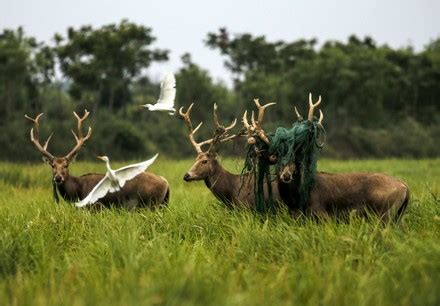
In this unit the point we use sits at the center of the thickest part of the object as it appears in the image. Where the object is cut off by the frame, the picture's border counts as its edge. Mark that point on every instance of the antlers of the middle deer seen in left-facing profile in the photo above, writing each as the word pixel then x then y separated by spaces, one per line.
pixel 220 132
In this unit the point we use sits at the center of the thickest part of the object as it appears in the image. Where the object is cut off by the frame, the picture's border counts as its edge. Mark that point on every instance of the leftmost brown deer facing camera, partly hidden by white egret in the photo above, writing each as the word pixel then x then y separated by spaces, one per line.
pixel 143 190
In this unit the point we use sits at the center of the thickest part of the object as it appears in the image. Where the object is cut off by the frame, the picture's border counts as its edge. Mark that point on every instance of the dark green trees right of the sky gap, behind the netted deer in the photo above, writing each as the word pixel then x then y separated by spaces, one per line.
pixel 365 87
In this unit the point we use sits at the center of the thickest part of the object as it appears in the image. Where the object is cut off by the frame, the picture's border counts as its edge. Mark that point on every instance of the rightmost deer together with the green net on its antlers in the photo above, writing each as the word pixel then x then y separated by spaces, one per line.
pixel 329 195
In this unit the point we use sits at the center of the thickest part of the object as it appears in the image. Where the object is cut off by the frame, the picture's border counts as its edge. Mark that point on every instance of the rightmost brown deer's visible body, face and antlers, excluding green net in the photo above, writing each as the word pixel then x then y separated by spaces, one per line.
pixel 337 195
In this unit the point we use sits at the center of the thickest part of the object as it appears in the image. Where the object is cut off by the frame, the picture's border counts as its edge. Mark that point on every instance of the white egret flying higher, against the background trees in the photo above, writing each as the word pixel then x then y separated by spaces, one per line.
pixel 167 96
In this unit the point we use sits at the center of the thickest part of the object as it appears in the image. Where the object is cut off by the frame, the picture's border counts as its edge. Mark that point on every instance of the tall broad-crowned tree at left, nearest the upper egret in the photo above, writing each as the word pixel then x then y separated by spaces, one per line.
pixel 101 63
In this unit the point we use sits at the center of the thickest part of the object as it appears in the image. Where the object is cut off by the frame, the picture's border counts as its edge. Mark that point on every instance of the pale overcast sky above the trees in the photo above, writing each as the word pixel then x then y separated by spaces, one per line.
pixel 181 26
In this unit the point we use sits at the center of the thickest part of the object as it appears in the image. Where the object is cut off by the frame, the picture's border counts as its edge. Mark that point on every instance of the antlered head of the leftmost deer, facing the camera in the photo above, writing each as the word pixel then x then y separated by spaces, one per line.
pixel 60 165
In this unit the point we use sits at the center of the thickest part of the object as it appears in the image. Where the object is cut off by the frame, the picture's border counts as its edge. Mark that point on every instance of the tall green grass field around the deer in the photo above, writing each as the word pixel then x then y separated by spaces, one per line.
pixel 196 252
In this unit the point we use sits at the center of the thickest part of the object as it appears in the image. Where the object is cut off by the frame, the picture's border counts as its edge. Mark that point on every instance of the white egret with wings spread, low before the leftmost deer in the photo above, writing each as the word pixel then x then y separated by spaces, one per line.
pixel 114 180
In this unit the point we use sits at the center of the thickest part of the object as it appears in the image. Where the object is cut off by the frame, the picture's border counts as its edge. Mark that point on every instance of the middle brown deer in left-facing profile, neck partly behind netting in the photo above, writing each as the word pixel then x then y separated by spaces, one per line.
pixel 232 189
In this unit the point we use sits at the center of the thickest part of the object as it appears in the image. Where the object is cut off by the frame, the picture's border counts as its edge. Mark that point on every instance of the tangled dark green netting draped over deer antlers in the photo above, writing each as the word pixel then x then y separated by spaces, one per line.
pixel 298 145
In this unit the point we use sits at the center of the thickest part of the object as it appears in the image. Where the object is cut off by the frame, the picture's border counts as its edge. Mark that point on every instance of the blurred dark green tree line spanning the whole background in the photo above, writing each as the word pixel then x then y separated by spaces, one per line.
pixel 378 101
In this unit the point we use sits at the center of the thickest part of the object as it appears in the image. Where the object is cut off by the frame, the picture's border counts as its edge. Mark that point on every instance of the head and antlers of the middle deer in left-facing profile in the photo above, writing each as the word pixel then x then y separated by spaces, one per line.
pixel 206 161
